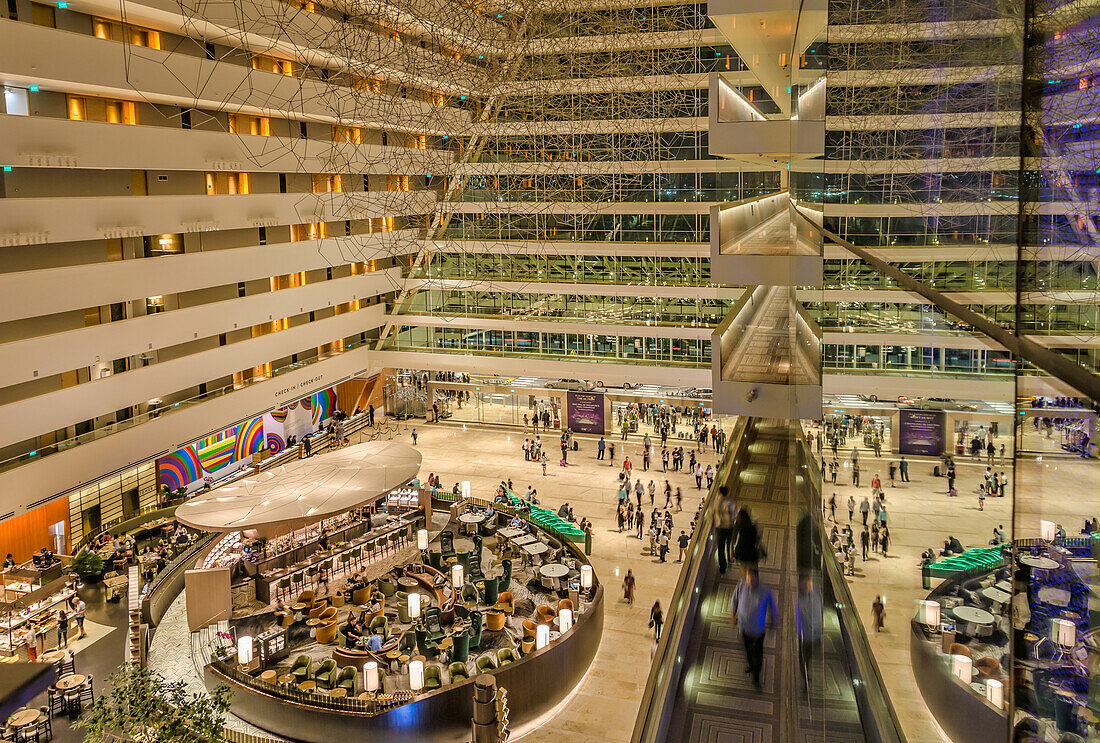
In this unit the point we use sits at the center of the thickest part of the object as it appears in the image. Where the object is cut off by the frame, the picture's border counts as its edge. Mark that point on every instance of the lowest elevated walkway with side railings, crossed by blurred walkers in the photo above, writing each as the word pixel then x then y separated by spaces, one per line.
pixel 699 689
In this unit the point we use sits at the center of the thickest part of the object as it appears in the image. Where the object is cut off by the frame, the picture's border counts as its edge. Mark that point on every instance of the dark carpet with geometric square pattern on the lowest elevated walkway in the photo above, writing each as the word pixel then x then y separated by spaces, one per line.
pixel 718 702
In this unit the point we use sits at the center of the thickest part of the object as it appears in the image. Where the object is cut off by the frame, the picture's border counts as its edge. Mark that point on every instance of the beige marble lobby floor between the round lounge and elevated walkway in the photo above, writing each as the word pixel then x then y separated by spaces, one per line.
pixel 606 705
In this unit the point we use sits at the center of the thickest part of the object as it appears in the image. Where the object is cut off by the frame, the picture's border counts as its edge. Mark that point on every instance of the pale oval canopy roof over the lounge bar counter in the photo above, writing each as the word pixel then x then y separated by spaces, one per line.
pixel 304 491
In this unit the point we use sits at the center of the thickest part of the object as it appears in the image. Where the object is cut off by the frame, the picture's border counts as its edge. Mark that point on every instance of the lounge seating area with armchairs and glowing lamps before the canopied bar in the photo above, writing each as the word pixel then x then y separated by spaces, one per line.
pixel 455 631
